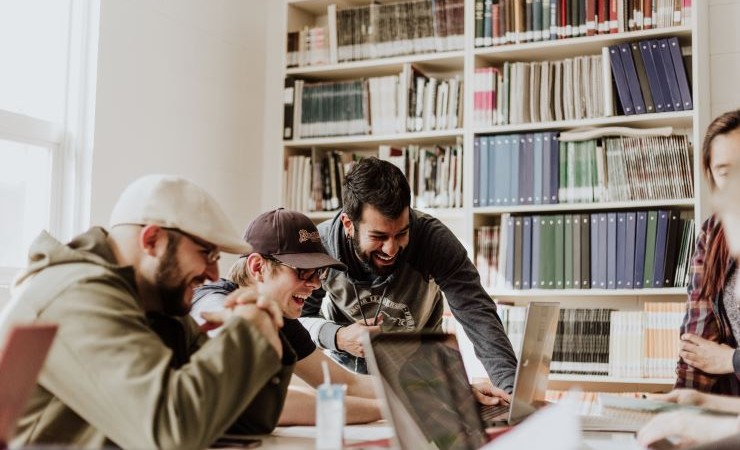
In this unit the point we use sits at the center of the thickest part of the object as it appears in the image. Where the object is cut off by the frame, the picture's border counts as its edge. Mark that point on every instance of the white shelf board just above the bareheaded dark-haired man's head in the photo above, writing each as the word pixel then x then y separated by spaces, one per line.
pixel 365 140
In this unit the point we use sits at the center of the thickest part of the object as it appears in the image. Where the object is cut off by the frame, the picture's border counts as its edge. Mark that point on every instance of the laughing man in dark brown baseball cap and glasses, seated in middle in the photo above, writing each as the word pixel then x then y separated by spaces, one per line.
pixel 287 263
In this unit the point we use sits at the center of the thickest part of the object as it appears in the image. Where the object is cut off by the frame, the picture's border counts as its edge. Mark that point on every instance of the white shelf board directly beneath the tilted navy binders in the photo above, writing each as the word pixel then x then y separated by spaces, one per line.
pixel 675 119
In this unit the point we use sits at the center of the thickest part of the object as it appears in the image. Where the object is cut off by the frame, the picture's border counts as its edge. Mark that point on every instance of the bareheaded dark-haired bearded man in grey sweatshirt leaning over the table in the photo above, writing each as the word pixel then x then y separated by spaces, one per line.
pixel 400 263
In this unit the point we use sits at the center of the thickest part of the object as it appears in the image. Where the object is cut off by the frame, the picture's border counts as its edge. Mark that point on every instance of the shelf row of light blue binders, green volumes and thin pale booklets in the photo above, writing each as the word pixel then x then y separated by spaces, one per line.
pixel 538 168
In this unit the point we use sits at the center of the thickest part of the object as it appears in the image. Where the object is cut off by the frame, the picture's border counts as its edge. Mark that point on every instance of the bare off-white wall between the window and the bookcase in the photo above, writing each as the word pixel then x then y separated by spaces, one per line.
pixel 181 90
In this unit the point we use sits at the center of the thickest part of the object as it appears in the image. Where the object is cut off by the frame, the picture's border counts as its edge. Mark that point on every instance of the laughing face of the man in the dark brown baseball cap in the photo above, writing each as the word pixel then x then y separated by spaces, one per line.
pixel 281 283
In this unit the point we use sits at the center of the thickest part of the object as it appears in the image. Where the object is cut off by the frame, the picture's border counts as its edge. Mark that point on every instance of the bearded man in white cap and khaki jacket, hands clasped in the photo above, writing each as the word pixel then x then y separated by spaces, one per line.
pixel 129 366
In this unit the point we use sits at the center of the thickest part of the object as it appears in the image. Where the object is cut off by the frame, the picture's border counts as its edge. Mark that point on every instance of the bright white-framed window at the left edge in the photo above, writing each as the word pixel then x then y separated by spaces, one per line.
pixel 47 85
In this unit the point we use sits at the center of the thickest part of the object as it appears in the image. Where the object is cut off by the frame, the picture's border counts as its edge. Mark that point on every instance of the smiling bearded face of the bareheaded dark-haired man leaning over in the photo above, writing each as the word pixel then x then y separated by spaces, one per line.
pixel 377 240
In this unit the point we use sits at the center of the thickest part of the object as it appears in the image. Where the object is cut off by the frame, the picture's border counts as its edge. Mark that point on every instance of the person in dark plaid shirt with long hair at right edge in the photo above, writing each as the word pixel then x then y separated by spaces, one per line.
pixel 709 358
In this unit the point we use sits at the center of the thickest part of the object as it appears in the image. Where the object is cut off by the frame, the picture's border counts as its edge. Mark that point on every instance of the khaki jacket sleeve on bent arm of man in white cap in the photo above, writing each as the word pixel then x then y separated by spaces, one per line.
pixel 114 372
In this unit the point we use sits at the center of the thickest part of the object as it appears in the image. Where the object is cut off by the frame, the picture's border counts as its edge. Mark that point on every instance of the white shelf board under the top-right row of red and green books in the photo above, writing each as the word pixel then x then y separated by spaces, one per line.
pixel 567 48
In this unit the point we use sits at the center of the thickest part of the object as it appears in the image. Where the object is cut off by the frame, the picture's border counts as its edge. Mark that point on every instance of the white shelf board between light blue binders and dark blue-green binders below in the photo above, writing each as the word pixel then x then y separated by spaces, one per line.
pixel 562 207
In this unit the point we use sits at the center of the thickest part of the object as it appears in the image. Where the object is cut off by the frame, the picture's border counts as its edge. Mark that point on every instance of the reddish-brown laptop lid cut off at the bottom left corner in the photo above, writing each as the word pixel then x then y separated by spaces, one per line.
pixel 23 355
